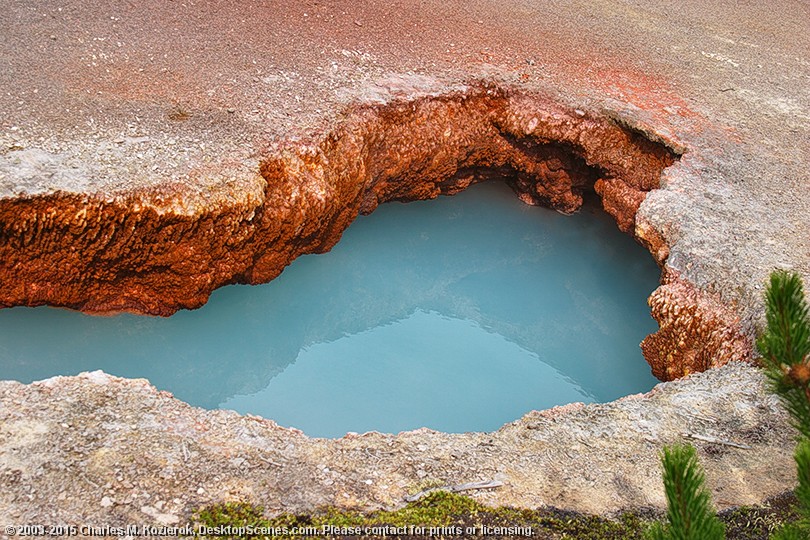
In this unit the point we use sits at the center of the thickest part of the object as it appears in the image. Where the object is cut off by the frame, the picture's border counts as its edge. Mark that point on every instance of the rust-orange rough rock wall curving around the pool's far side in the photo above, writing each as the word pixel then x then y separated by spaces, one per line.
pixel 97 255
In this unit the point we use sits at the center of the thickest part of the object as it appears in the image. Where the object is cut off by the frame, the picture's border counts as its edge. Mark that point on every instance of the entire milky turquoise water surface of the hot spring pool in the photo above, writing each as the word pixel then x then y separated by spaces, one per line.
pixel 458 314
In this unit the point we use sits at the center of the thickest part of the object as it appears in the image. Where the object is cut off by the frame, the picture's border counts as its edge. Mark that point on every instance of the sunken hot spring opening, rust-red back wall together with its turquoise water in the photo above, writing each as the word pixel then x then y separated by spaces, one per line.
pixel 459 315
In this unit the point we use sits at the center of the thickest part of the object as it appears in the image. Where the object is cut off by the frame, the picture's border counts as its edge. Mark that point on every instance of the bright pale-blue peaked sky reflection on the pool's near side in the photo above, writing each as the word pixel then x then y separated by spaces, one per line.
pixel 480 381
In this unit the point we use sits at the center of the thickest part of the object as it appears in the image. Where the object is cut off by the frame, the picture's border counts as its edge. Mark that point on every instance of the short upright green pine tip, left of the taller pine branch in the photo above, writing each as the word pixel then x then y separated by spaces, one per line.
pixel 690 515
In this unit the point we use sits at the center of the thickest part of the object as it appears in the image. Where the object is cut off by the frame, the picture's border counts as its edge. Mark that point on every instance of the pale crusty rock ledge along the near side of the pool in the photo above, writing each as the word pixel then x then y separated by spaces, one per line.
pixel 96 449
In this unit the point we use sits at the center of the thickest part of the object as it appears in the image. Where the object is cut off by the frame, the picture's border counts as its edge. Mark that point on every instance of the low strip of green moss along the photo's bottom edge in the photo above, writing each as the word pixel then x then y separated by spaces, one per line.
pixel 452 515
